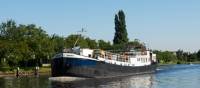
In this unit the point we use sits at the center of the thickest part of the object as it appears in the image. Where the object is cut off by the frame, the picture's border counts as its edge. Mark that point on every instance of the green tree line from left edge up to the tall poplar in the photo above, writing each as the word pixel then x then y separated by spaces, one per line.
pixel 29 45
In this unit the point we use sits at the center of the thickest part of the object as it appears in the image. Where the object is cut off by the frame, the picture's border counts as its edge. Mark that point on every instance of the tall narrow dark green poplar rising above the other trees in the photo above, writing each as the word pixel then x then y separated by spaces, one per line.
pixel 121 35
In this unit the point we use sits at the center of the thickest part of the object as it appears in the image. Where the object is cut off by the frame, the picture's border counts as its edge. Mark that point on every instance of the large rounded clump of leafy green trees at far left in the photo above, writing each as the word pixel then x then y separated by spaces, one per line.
pixel 19 43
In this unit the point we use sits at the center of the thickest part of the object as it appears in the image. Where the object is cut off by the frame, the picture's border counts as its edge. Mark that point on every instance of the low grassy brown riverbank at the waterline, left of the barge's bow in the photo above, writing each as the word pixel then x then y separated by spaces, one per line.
pixel 26 72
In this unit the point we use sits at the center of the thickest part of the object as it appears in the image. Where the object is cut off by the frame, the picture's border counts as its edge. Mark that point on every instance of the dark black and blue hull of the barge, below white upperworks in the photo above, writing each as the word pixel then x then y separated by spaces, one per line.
pixel 94 69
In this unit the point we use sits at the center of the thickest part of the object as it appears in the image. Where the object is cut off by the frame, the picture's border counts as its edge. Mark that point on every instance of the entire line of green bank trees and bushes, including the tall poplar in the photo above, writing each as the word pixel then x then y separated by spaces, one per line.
pixel 27 46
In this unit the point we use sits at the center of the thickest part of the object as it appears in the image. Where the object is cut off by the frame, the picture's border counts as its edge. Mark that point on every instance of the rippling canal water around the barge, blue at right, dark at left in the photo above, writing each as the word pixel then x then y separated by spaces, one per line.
pixel 170 76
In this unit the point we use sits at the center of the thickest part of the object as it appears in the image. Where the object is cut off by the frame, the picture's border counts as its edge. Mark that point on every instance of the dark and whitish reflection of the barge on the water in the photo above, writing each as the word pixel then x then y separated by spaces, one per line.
pixel 139 81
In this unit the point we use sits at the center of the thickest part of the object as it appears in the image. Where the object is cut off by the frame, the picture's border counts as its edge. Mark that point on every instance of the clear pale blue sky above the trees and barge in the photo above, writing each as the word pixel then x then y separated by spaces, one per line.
pixel 161 24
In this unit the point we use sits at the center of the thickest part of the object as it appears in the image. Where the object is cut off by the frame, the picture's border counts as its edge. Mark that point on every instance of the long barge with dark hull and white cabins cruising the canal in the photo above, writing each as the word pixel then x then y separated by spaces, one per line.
pixel 96 63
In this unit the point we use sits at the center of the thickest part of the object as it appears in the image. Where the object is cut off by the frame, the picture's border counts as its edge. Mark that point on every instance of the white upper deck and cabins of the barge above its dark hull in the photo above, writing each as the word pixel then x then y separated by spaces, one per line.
pixel 131 58
